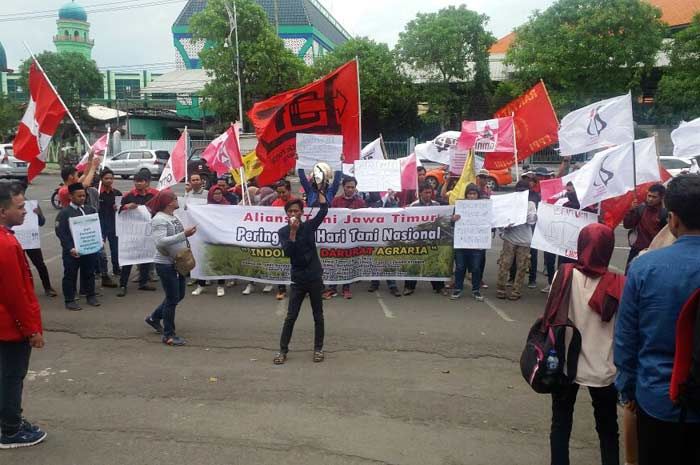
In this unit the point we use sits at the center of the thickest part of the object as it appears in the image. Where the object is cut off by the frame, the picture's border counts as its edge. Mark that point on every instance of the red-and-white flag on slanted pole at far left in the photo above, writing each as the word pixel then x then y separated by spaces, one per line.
pixel 41 119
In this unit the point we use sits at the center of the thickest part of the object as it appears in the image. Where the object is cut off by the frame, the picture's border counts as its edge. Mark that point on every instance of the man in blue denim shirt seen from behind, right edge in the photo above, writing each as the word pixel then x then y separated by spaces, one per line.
pixel 658 284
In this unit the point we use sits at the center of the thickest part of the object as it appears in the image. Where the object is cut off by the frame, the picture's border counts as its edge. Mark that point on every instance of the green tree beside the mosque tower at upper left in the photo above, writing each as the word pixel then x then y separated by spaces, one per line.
pixel 75 77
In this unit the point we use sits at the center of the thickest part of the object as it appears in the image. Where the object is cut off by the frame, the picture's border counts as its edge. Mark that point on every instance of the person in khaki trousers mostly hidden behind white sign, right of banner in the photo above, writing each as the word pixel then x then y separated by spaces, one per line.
pixel 516 246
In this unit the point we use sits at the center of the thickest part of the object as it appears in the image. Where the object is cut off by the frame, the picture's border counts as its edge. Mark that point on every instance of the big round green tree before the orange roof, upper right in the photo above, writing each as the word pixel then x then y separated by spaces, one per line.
pixel 586 50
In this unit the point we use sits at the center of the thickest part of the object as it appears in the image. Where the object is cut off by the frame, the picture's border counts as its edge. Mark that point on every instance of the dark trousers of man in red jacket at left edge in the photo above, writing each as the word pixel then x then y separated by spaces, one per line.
pixel 14 363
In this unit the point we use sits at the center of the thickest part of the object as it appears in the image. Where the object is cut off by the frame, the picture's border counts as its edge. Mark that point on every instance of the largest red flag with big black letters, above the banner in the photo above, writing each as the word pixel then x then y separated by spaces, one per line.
pixel 327 106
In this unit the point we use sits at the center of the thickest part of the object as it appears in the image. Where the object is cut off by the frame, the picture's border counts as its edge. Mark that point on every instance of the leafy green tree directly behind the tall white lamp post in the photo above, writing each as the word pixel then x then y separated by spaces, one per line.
pixel 267 68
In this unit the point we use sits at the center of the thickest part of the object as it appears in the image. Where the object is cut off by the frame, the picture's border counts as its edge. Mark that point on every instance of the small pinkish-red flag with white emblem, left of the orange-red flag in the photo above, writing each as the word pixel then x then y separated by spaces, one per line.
pixel 494 135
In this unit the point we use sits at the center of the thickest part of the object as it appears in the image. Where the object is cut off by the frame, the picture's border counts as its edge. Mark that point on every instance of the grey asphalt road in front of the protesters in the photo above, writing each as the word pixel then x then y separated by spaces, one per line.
pixel 417 380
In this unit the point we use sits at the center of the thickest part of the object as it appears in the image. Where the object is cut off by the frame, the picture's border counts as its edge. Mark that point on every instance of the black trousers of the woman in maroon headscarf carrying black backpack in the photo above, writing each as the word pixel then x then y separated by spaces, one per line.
pixel 605 413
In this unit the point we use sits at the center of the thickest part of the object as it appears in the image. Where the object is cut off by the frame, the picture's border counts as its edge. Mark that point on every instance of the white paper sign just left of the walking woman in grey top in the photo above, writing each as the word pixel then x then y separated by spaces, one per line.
pixel 136 243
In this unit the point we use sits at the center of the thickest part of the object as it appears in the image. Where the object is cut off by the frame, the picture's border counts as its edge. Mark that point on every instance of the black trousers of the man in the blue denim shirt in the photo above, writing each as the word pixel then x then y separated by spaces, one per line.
pixel 666 443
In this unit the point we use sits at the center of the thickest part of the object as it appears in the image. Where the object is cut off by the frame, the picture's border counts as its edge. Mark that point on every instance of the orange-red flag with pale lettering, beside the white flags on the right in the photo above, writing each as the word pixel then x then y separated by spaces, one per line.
pixel 536 126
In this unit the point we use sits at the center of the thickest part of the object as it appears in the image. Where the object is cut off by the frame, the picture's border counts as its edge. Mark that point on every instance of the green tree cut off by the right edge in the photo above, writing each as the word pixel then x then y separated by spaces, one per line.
pixel 678 96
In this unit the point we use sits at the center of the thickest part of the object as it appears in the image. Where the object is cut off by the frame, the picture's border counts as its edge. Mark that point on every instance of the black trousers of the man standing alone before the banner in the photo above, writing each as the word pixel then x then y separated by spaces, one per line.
pixel 297 293
